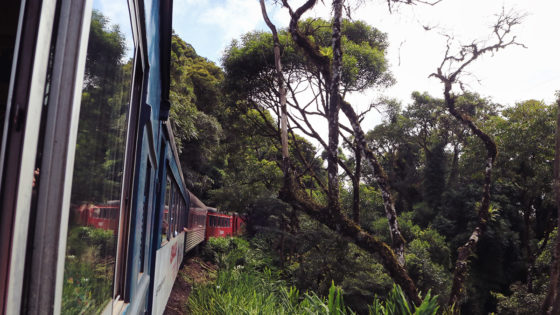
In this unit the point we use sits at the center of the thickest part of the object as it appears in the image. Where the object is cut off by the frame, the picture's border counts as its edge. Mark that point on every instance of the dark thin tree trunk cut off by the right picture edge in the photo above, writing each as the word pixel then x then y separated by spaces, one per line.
pixel 551 304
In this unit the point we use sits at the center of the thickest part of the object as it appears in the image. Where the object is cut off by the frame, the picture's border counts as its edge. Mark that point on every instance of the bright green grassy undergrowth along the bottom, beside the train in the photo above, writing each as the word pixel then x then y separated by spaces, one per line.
pixel 248 283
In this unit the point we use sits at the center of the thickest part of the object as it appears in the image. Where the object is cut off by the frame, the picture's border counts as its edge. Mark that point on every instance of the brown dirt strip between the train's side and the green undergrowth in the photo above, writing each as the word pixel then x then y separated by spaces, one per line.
pixel 194 272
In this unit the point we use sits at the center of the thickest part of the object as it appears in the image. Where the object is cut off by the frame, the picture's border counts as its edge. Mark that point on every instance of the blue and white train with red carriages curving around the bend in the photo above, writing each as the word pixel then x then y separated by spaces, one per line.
pixel 95 215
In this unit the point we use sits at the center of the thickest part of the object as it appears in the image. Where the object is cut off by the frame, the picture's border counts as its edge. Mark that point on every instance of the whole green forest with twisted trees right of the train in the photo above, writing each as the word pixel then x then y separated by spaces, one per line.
pixel 450 201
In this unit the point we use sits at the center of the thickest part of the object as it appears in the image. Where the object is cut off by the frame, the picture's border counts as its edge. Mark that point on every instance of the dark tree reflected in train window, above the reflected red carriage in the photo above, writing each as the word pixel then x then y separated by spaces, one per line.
pixel 105 96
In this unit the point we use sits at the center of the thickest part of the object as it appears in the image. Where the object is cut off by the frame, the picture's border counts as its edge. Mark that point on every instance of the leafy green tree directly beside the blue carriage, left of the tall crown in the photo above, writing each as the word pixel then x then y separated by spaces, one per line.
pixel 197 115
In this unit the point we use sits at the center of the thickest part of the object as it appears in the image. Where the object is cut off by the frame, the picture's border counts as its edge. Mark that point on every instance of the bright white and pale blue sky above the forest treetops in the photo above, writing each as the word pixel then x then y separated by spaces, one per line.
pixel 507 77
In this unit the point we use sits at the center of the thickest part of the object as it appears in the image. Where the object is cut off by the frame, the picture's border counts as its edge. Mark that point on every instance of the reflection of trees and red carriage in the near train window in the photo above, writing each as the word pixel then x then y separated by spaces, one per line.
pixel 98 169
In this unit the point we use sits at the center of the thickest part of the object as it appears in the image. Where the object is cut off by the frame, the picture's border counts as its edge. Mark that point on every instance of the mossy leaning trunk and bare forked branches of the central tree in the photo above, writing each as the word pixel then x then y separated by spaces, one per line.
pixel 334 217
